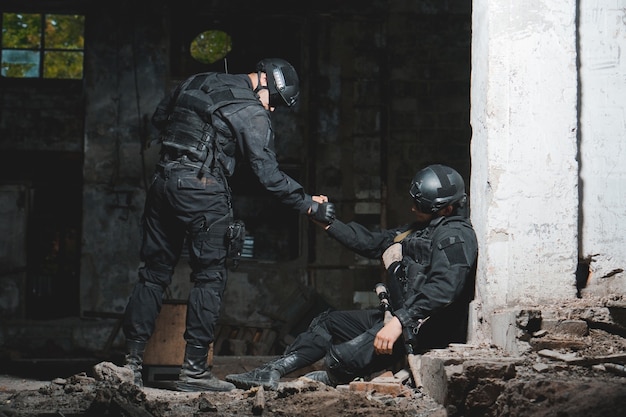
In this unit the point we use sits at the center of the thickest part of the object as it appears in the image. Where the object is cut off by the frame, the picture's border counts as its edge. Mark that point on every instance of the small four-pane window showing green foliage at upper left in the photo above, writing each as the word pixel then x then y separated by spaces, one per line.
pixel 42 45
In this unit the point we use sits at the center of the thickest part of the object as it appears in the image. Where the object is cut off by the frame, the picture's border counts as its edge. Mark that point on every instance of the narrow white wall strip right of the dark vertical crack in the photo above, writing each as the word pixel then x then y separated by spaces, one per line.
pixel 603 143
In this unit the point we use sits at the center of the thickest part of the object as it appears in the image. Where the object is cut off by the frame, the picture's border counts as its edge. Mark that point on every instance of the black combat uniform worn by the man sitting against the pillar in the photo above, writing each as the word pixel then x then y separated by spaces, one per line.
pixel 433 282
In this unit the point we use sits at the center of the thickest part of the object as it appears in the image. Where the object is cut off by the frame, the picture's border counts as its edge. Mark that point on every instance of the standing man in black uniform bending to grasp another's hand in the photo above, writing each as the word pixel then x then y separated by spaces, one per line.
pixel 203 124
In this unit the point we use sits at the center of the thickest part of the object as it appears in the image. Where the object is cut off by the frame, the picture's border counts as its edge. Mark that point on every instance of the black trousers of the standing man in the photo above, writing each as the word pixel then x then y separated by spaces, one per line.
pixel 182 206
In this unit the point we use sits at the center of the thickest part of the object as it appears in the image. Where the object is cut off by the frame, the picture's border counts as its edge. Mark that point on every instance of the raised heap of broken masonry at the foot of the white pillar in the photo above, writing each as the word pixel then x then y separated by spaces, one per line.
pixel 568 360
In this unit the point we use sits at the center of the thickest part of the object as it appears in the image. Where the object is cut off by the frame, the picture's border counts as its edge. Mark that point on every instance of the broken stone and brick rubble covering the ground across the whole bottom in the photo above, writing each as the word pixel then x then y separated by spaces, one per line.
pixel 568 361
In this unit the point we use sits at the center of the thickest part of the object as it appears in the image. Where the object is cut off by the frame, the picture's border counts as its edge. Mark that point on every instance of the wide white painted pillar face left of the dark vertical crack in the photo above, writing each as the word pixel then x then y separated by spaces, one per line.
pixel 524 198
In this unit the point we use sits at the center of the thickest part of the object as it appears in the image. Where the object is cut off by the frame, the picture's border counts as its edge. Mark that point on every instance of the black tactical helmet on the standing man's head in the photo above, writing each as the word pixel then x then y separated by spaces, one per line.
pixel 282 81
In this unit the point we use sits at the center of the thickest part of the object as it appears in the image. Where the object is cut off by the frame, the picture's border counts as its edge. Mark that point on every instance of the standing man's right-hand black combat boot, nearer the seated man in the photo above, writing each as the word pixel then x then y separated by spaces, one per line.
pixel 195 375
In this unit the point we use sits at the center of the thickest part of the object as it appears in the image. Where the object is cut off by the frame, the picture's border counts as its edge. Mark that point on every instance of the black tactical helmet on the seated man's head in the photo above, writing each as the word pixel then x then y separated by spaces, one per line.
pixel 437 186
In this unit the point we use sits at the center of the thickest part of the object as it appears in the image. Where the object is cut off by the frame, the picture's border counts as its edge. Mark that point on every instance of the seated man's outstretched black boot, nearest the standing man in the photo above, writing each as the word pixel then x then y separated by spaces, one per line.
pixel 269 374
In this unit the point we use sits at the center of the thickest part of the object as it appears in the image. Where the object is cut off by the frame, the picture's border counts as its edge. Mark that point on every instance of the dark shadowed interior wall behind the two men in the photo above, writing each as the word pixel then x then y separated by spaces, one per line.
pixel 385 90
